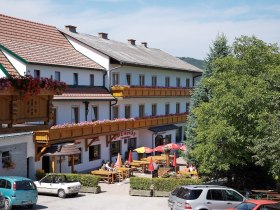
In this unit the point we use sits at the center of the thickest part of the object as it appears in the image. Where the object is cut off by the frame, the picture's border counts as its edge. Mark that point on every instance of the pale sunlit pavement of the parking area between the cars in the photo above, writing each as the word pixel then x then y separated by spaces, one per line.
pixel 113 197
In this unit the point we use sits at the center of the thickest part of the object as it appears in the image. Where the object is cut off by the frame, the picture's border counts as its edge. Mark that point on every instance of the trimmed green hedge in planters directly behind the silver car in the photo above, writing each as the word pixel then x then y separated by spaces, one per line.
pixel 160 184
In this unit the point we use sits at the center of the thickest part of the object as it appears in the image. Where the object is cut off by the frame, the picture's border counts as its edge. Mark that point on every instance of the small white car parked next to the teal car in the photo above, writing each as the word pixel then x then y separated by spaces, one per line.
pixel 58 184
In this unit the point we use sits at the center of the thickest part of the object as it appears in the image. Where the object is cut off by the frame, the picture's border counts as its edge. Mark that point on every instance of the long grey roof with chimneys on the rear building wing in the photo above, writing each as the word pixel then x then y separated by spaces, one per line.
pixel 133 54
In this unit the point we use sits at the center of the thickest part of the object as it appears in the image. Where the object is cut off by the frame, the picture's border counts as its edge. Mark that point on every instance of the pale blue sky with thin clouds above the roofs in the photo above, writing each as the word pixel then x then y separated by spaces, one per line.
pixel 183 28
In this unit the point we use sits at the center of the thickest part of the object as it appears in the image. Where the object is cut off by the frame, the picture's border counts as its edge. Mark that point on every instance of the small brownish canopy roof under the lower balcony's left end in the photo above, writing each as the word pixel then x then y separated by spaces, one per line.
pixel 61 150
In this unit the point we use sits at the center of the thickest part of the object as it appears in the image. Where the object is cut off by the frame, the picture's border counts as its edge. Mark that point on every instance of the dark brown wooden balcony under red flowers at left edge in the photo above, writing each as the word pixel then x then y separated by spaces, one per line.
pixel 15 111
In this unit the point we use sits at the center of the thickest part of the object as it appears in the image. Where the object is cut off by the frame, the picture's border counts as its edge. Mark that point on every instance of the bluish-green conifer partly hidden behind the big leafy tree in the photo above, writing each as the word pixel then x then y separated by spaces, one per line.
pixel 202 91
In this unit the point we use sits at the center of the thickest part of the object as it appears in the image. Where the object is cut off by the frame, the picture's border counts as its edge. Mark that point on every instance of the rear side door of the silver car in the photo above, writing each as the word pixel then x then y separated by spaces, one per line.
pixel 215 199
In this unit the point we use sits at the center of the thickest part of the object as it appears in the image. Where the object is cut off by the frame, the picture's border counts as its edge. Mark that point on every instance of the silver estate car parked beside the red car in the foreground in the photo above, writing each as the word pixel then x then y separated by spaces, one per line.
pixel 204 197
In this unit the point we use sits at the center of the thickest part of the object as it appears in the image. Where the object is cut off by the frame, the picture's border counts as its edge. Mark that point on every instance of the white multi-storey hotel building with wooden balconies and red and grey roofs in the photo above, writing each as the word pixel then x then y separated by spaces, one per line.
pixel 107 80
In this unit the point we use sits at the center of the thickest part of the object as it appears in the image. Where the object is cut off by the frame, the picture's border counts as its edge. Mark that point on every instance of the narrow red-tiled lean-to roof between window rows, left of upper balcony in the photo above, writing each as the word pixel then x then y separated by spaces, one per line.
pixel 86 93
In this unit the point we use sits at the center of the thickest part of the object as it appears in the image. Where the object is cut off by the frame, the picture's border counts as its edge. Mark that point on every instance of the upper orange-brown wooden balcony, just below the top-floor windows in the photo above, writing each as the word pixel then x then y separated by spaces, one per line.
pixel 127 91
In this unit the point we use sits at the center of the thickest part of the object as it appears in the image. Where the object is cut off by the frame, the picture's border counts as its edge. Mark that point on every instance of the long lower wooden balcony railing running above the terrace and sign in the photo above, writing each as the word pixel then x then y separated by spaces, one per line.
pixel 92 129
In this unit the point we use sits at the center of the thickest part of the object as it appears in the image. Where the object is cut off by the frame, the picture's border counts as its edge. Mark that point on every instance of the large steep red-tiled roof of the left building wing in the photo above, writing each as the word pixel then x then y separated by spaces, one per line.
pixel 40 44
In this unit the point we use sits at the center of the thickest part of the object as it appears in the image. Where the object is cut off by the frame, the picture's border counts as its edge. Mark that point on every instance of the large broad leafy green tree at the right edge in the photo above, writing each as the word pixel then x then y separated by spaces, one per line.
pixel 239 124
